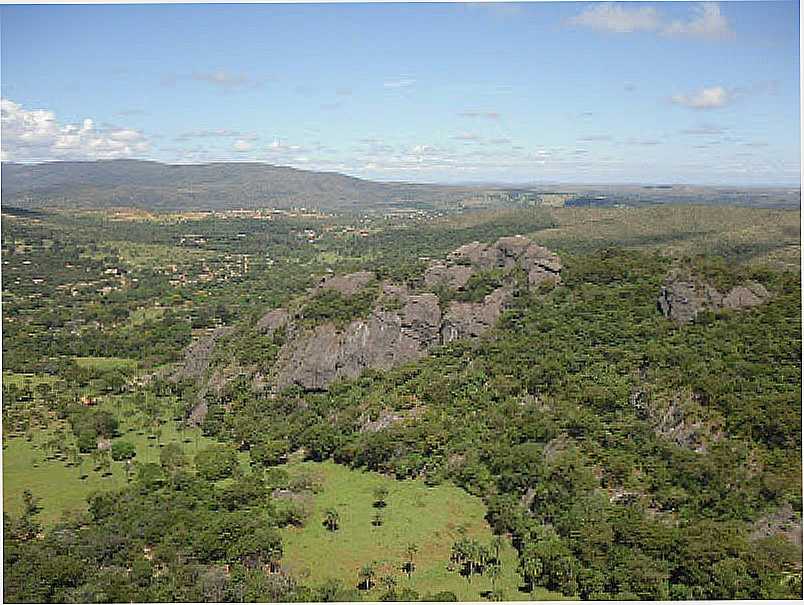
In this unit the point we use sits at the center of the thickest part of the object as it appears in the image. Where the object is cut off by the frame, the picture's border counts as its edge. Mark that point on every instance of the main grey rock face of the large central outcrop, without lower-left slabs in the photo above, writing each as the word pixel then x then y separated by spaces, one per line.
pixel 402 326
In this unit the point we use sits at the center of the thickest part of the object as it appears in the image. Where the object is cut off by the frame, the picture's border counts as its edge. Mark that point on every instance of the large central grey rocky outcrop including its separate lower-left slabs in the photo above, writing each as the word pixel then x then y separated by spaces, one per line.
pixel 401 326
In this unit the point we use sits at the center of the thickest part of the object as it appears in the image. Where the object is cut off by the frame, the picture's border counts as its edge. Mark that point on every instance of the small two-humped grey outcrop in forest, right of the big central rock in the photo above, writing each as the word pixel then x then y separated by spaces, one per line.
pixel 683 297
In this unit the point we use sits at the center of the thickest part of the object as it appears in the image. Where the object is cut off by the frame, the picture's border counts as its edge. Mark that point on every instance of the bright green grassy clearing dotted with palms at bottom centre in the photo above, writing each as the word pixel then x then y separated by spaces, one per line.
pixel 430 517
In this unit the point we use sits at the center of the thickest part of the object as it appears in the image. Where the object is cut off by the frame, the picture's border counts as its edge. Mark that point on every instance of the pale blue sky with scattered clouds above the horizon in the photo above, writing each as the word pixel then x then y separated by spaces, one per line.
pixel 663 92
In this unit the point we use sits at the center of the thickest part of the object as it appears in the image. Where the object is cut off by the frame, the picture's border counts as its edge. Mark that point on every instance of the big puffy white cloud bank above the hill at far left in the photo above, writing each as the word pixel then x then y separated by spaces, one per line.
pixel 36 135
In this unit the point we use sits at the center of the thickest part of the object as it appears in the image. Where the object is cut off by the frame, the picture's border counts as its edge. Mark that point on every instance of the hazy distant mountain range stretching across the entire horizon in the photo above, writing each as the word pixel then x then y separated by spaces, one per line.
pixel 224 186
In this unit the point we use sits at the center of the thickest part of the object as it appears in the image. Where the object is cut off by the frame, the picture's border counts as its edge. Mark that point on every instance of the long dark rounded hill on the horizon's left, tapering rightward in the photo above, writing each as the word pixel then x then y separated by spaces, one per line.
pixel 158 186
